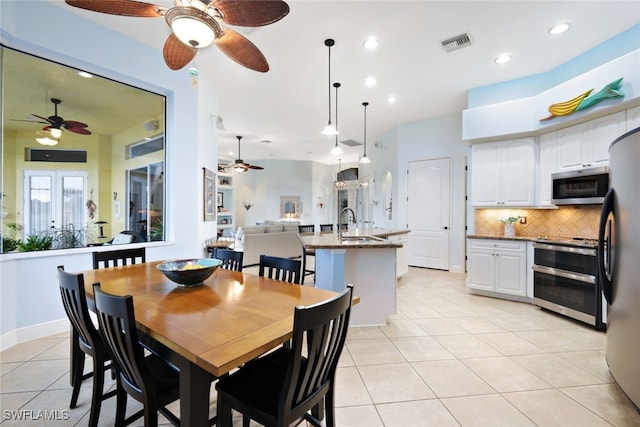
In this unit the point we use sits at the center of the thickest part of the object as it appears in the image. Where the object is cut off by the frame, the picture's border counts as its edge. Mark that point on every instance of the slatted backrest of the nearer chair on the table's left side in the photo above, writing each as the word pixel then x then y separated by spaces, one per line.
pixel 118 327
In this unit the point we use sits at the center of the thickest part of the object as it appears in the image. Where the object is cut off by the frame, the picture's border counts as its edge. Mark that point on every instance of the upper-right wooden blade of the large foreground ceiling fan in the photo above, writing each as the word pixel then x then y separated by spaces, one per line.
pixel 251 13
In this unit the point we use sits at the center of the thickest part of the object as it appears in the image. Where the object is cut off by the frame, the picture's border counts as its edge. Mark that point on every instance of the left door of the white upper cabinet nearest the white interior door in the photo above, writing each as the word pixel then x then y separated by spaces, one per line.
pixel 485 174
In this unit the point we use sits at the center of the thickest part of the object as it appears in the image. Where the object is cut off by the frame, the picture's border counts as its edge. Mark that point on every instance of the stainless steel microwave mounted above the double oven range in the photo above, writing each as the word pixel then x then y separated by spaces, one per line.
pixel 586 186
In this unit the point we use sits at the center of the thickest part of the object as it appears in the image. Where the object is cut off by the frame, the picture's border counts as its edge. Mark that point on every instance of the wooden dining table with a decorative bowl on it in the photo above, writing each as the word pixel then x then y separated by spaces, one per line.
pixel 206 331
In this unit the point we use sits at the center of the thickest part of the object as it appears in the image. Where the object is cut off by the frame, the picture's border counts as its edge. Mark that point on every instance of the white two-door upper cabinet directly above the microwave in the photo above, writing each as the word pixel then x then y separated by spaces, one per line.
pixel 587 144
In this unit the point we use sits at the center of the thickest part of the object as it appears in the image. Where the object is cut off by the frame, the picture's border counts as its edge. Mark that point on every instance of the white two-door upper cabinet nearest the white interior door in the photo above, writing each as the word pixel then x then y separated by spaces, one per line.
pixel 502 173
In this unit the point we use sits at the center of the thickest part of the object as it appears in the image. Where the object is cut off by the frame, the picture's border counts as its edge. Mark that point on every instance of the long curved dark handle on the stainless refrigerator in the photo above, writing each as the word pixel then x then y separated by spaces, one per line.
pixel 606 250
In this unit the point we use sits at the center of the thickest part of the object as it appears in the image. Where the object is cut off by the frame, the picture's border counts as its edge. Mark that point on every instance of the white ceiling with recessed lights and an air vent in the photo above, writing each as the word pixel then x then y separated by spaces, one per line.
pixel 289 104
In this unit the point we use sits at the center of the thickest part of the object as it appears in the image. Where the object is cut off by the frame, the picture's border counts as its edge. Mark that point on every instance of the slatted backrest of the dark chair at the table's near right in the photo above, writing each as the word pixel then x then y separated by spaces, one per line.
pixel 319 333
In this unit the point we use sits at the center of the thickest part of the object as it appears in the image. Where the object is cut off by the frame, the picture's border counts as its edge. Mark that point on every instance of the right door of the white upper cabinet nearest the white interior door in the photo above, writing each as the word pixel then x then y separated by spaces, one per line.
pixel 517 178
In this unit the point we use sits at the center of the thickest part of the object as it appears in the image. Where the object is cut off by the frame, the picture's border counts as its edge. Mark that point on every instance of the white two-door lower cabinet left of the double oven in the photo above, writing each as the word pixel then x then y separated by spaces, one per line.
pixel 498 267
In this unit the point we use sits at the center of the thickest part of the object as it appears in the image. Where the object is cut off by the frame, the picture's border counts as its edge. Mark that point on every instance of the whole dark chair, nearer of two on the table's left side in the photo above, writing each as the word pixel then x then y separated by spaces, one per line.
pixel 148 379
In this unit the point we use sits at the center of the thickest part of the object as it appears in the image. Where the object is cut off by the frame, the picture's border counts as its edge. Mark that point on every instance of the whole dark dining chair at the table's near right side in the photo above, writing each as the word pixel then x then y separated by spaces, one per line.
pixel 283 386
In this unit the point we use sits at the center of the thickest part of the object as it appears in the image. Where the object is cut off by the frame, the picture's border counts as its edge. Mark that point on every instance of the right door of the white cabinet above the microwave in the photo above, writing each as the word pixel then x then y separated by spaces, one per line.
pixel 602 132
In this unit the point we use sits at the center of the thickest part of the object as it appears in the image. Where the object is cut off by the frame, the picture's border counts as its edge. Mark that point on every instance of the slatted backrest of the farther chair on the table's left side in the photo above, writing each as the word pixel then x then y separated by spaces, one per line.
pixel 75 305
